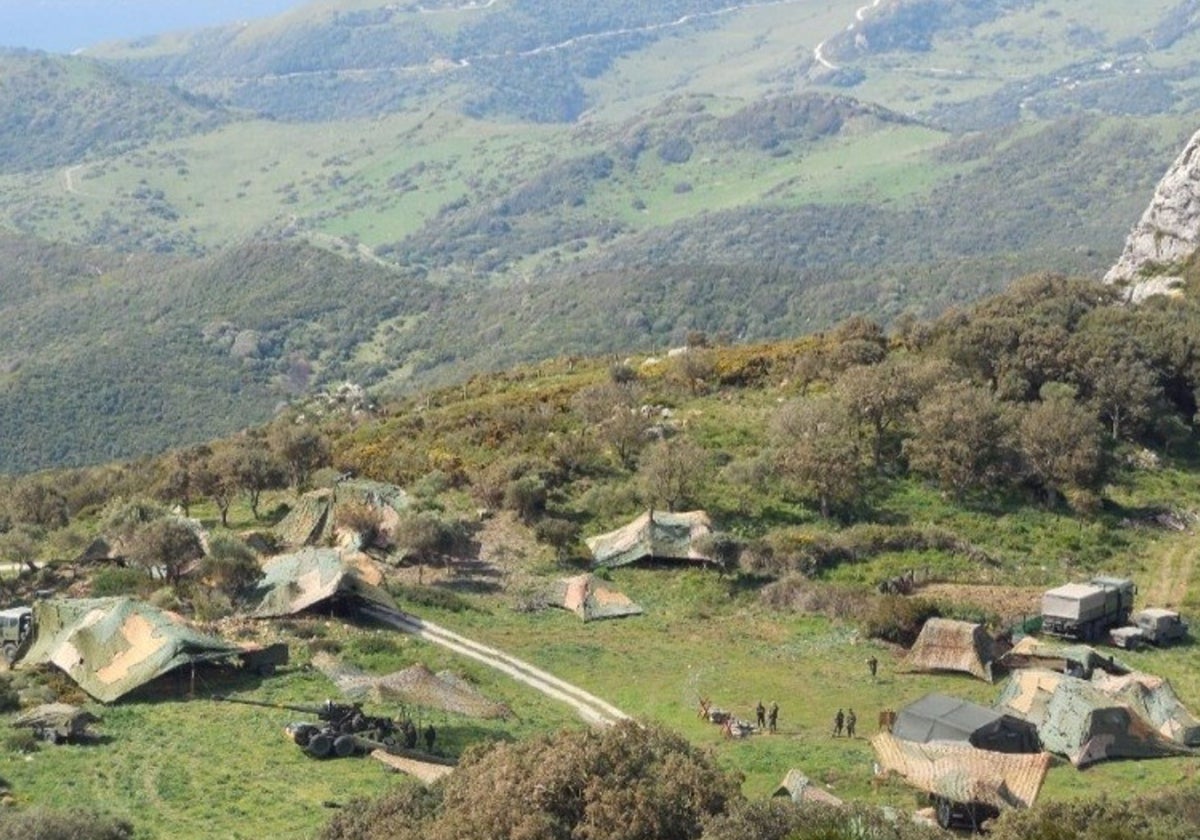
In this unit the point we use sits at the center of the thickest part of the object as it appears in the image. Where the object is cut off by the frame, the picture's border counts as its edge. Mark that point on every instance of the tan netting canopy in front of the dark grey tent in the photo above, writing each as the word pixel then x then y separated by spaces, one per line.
pixel 962 773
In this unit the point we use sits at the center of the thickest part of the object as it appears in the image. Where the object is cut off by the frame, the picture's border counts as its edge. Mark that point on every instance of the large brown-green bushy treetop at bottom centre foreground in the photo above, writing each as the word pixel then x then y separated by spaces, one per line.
pixel 628 782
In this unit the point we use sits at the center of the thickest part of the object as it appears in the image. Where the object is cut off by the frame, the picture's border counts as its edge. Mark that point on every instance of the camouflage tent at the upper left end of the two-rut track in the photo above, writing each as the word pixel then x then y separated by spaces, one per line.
pixel 295 583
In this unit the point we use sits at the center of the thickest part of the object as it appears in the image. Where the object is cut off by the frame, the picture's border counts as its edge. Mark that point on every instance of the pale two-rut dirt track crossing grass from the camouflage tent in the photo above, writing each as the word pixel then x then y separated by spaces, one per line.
pixel 593 710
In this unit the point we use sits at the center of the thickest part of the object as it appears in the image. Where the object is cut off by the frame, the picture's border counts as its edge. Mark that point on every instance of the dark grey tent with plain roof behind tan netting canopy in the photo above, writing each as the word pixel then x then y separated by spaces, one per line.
pixel 939 717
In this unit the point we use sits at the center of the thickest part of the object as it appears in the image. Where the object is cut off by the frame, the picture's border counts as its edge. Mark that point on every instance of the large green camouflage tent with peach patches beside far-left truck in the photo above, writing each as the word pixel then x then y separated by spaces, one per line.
pixel 111 646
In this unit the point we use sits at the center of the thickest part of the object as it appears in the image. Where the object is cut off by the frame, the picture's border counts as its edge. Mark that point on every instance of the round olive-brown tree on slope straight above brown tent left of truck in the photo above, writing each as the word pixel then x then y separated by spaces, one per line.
pixel 962 437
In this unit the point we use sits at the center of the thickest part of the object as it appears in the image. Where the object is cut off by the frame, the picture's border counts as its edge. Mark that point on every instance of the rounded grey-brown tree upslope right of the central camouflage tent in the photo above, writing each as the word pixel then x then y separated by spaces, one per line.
pixel 818 452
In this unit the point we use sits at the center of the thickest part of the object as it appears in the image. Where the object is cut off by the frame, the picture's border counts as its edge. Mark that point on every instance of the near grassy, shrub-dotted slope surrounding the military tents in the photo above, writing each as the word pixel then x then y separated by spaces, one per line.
pixel 794 623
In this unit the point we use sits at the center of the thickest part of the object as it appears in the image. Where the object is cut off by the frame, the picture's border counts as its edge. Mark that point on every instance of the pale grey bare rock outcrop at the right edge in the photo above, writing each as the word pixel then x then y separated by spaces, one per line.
pixel 1168 235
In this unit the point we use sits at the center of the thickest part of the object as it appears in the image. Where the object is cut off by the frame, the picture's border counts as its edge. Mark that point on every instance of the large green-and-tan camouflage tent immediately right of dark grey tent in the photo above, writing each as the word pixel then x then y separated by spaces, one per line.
pixel 1079 722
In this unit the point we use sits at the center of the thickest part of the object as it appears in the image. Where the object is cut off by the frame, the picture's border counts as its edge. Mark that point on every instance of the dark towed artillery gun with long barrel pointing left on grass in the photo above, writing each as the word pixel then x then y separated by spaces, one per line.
pixel 344 730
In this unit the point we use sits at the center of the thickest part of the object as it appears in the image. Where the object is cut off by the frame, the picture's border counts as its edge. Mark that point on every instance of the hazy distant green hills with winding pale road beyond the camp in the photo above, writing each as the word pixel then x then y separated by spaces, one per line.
pixel 569 179
